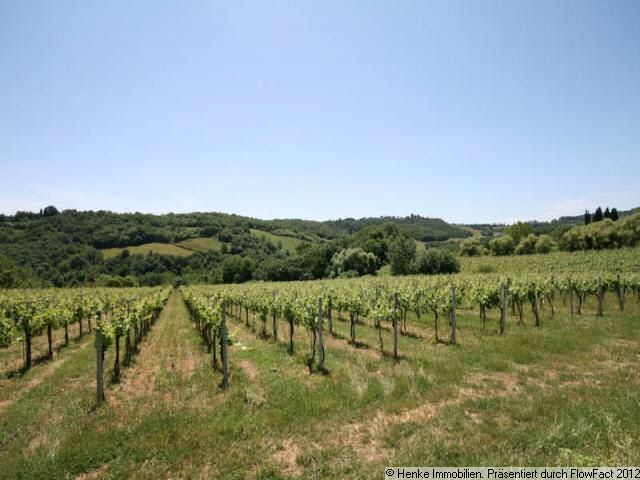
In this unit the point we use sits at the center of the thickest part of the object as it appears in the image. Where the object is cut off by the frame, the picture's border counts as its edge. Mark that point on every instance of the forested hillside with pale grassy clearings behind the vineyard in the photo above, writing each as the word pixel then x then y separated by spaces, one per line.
pixel 76 248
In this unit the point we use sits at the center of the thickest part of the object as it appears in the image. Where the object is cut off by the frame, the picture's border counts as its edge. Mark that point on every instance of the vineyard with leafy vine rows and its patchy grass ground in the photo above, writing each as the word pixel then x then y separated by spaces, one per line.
pixel 332 378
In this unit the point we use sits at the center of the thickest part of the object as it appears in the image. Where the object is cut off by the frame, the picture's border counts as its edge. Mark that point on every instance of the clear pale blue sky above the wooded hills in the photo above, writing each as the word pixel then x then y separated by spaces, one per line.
pixel 472 111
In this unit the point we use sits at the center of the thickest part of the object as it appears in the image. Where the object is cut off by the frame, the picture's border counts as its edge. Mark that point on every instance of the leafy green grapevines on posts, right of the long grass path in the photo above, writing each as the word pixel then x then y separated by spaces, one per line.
pixel 386 301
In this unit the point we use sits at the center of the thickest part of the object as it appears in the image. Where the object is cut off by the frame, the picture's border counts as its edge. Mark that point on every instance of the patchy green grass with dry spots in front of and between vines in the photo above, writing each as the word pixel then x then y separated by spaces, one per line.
pixel 565 393
